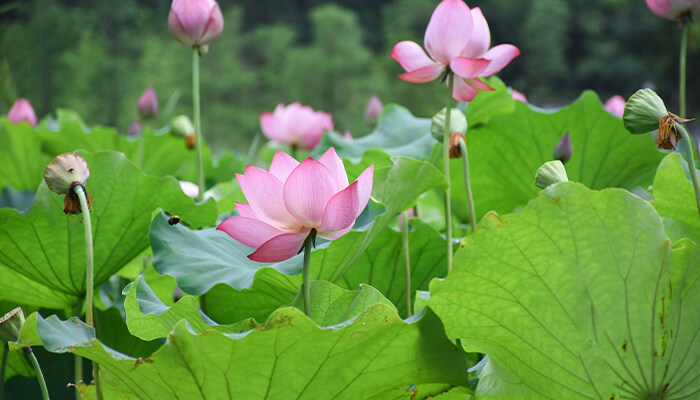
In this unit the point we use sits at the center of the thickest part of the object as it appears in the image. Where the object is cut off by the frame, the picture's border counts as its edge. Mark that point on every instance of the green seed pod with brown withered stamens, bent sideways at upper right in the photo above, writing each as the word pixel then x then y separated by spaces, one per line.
pixel 645 111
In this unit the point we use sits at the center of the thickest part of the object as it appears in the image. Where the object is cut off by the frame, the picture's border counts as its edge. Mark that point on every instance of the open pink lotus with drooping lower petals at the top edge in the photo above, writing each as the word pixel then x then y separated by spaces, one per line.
pixel 457 39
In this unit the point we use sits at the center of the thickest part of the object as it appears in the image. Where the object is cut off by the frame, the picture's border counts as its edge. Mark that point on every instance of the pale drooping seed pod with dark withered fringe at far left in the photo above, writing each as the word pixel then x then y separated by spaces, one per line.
pixel 63 175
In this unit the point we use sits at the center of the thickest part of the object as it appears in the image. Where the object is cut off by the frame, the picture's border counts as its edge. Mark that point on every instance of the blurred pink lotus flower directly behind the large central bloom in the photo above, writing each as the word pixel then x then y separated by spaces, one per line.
pixel 296 125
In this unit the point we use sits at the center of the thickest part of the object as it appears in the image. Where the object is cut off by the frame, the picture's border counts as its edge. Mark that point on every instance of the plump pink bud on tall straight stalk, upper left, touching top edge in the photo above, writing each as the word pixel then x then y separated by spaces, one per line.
pixel 195 22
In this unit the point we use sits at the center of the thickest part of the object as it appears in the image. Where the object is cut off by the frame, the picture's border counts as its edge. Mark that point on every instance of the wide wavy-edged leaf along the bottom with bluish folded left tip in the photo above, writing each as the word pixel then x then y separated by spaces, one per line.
pixel 289 356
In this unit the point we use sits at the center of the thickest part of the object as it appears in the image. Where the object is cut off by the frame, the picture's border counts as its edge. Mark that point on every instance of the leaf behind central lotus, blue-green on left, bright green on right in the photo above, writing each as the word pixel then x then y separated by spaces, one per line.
pixel 200 259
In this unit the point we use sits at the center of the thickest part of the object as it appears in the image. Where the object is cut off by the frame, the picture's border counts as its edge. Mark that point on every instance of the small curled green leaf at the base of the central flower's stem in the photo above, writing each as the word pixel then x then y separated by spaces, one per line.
pixel 331 304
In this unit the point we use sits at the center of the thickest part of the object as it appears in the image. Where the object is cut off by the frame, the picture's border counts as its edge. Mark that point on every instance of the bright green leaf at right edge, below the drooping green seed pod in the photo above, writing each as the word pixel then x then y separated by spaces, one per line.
pixel 674 199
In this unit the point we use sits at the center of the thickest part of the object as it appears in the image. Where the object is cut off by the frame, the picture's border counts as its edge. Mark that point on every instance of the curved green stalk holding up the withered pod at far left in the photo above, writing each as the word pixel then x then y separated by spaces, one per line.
pixel 89 278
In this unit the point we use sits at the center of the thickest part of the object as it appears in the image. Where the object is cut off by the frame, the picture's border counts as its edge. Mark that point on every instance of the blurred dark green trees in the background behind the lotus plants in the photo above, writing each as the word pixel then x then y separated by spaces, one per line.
pixel 97 57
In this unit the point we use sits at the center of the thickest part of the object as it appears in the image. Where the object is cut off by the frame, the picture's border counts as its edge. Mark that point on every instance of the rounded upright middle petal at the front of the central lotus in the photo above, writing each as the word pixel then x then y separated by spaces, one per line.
pixel 307 191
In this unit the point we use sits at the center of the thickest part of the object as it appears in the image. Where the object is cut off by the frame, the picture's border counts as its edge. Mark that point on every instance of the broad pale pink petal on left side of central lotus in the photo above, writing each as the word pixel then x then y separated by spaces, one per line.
pixel 264 193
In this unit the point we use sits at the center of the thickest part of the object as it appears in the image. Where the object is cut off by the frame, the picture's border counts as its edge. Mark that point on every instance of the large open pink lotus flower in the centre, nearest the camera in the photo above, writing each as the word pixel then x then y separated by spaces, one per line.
pixel 290 200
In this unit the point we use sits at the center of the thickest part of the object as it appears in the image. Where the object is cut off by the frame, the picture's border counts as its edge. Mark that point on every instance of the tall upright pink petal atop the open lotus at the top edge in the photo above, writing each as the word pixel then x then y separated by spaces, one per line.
pixel 448 31
